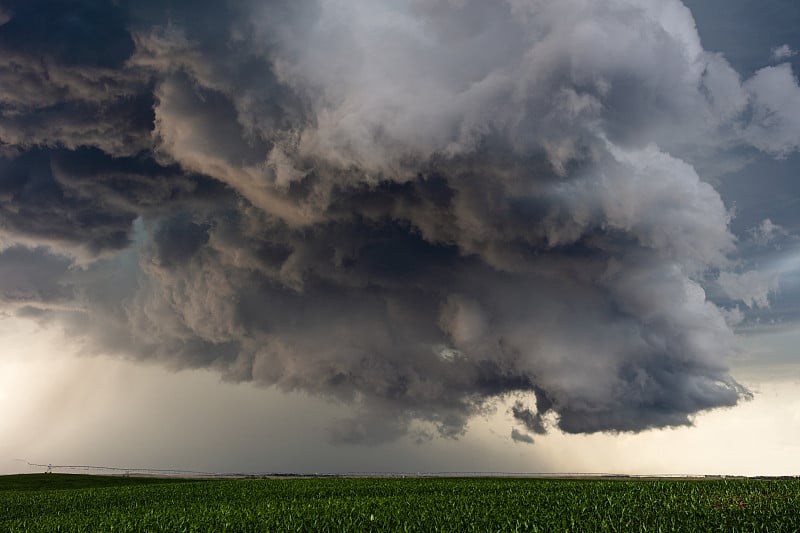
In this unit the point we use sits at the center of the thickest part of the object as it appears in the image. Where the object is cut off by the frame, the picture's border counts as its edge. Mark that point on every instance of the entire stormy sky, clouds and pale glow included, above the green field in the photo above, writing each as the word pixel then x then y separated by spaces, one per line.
pixel 400 236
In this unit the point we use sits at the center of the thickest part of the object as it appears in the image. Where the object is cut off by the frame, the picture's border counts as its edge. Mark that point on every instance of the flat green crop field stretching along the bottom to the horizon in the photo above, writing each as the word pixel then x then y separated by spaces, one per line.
pixel 63 502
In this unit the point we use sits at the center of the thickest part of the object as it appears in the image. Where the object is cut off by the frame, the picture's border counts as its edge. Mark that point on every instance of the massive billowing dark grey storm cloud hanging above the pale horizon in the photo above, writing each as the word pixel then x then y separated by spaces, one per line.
pixel 413 207
